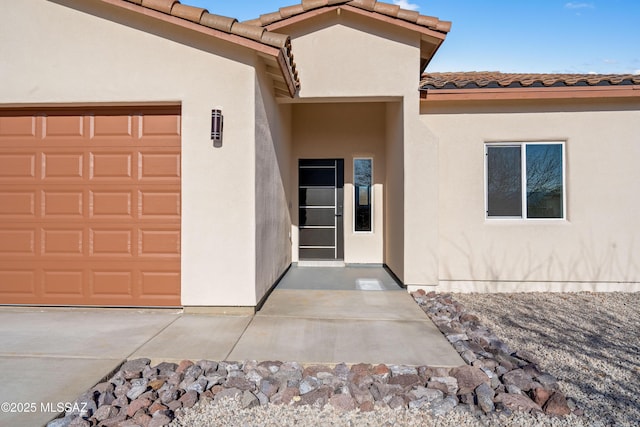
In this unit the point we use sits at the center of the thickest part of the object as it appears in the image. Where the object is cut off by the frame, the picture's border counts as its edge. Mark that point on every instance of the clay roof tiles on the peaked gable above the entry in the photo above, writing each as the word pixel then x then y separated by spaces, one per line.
pixel 391 10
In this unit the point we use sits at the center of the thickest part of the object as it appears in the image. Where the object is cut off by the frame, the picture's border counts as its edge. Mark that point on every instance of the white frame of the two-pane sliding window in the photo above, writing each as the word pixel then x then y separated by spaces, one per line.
pixel 523 171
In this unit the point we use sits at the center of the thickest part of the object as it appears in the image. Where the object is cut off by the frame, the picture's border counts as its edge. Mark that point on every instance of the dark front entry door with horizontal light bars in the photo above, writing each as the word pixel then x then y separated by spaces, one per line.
pixel 320 214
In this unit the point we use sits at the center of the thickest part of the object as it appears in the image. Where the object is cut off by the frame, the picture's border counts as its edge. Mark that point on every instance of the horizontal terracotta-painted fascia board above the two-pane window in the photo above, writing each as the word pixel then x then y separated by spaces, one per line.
pixel 435 95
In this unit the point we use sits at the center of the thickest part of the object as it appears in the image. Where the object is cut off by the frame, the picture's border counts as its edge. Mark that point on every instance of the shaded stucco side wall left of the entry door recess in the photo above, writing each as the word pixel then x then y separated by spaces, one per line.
pixel 272 186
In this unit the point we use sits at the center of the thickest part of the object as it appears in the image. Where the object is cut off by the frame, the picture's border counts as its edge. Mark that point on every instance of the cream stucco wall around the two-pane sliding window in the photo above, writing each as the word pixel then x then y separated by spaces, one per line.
pixel 597 247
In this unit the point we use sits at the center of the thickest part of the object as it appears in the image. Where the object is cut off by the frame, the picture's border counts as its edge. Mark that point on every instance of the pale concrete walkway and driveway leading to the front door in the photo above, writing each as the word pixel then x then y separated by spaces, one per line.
pixel 51 356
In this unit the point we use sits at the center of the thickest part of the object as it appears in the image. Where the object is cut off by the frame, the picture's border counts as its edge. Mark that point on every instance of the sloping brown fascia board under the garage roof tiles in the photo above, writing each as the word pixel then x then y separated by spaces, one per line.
pixel 192 26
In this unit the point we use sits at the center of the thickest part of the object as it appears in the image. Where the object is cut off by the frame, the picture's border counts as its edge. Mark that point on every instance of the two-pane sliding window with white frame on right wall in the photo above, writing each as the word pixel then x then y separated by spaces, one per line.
pixel 525 180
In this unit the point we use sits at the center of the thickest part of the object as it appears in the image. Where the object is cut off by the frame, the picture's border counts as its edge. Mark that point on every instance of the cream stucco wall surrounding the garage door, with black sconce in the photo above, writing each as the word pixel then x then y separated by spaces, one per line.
pixel 69 52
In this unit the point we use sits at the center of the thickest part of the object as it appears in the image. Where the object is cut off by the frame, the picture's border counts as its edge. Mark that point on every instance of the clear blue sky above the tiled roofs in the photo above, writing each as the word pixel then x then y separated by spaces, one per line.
pixel 539 36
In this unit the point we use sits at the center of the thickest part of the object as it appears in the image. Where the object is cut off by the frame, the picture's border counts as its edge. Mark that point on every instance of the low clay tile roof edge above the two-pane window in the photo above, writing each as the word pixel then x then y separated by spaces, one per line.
pixel 494 79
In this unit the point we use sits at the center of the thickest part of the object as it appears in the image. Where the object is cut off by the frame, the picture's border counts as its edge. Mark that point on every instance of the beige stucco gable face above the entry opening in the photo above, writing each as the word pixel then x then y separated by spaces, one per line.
pixel 345 55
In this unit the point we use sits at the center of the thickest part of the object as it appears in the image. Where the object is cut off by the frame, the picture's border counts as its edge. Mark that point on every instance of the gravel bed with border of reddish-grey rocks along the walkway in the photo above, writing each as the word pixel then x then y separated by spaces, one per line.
pixel 533 359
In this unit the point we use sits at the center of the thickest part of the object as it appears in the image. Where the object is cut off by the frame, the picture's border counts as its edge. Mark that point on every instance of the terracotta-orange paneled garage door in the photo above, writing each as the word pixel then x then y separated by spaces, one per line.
pixel 90 207
